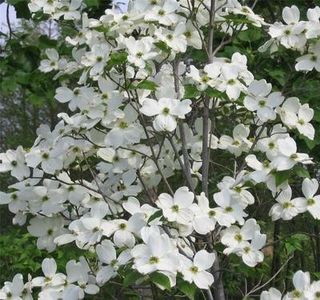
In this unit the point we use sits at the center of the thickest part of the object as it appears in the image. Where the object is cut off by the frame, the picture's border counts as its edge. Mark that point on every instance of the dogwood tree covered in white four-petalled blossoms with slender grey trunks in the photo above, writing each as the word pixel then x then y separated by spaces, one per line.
pixel 132 173
